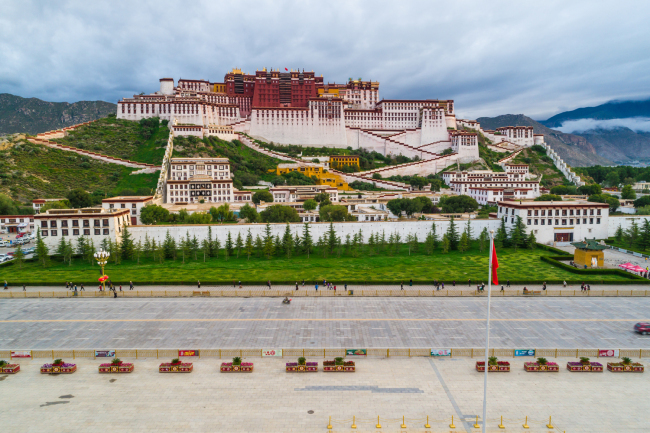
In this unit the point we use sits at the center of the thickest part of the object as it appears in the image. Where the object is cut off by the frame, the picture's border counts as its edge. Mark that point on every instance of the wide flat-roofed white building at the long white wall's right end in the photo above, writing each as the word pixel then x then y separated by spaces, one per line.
pixel 561 222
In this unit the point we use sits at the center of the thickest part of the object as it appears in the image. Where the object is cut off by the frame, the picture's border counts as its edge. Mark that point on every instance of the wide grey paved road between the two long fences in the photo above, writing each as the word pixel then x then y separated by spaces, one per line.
pixel 326 322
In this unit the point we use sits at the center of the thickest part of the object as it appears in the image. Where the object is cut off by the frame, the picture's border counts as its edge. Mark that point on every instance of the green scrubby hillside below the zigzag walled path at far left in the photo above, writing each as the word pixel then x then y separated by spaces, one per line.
pixel 29 171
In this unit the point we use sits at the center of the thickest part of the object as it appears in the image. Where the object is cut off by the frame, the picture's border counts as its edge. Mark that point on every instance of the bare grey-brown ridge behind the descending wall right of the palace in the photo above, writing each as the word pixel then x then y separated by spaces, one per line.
pixel 574 150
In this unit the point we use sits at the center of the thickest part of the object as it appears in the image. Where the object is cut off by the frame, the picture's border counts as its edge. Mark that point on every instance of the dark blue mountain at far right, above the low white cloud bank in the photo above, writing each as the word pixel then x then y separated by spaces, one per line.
pixel 610 110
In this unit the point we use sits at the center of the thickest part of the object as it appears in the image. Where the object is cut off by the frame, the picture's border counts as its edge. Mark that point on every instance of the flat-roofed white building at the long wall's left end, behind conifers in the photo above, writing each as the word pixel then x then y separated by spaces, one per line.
pixel 95 224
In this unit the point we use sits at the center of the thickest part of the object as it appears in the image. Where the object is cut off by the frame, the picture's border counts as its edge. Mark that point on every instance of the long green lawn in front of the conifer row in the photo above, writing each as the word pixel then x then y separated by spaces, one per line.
pixel 518 266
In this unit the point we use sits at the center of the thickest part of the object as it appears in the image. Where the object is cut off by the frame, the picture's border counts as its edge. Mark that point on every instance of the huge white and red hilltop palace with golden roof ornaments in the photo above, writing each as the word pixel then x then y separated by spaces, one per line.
pixel 297 107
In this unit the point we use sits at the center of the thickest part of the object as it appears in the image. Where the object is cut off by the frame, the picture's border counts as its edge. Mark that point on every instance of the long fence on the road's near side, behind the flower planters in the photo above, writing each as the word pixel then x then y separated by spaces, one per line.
pixel 319 352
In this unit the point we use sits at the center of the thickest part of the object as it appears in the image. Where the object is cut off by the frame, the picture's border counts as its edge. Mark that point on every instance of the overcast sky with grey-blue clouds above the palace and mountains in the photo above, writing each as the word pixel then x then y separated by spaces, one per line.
pixel 493 57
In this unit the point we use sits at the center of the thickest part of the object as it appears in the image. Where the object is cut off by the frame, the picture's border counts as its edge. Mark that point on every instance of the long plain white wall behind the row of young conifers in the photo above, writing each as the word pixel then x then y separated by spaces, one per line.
pixel 404 228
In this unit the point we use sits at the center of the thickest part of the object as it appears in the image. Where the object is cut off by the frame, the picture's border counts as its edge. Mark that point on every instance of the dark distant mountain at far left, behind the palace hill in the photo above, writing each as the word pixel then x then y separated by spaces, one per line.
pixel 32 115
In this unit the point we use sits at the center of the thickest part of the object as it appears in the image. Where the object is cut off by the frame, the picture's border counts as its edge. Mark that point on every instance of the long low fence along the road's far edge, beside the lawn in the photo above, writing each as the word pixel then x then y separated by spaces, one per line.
pixel 325 293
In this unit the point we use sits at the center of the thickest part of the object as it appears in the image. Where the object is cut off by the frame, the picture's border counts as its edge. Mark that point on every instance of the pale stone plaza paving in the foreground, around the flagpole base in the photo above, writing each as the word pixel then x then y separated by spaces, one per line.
pixel 271 400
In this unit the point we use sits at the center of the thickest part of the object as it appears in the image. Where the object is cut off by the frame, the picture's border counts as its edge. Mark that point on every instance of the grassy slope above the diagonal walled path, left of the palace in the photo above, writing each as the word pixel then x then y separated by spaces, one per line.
pixel 121 138
